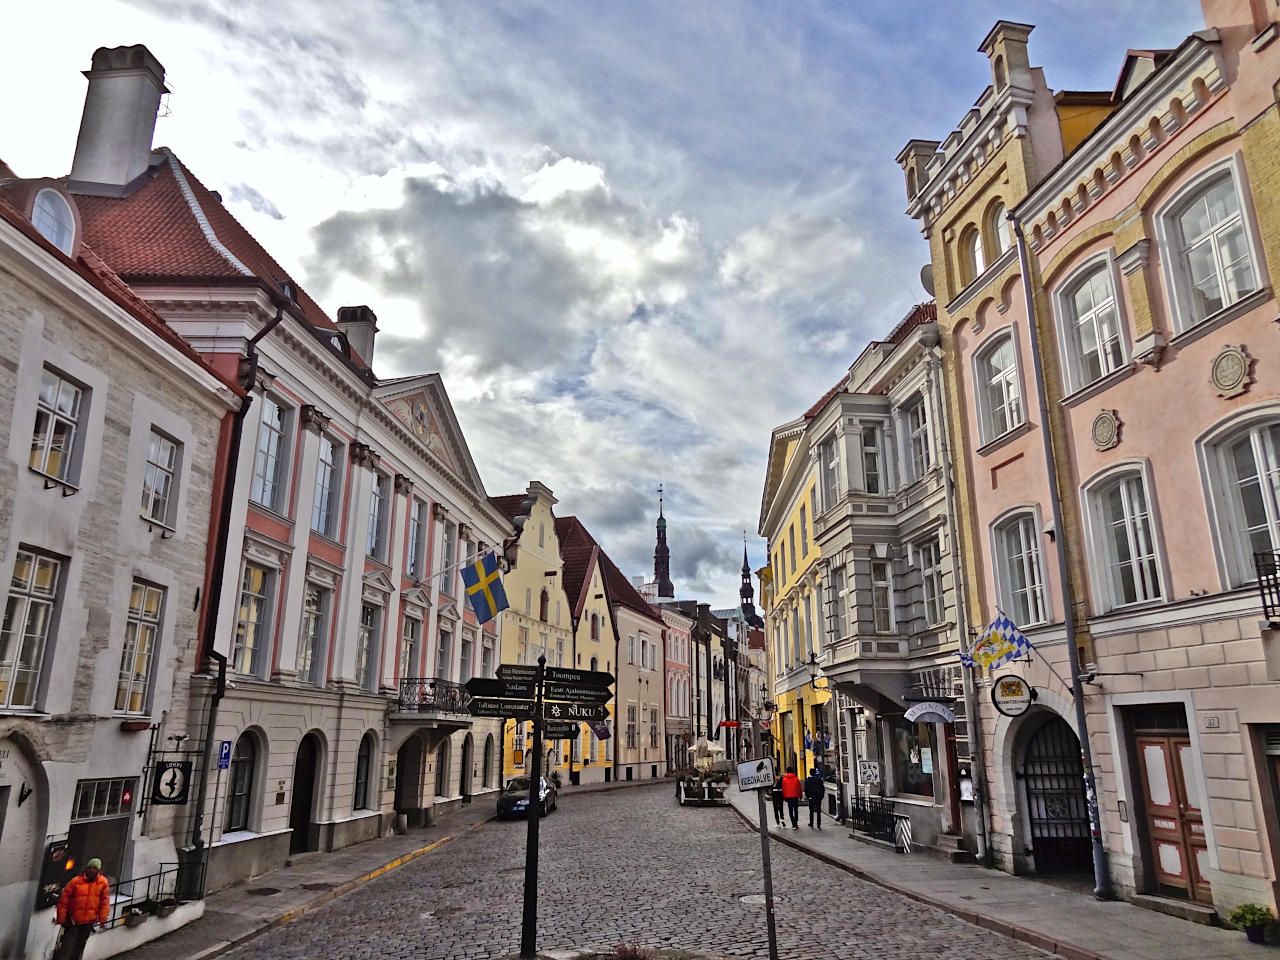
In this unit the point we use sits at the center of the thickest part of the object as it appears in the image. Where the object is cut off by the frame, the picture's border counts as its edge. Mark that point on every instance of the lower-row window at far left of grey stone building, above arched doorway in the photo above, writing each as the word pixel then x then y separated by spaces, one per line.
pixel 29 619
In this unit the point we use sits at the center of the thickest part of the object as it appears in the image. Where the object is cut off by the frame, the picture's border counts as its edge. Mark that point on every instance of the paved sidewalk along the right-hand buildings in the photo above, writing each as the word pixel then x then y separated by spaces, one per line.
pixel 1060 920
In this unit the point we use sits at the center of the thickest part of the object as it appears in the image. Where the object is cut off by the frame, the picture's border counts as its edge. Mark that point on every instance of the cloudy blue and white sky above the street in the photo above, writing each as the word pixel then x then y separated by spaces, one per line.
pixel 633 236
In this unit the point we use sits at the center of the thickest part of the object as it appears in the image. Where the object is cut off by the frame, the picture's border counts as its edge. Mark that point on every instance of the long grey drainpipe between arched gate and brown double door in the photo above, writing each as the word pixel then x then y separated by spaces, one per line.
pixel 1101 870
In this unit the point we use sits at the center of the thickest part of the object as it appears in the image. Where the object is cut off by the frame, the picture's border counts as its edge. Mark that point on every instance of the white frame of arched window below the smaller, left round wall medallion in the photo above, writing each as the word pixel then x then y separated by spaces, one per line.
pixel 1101 579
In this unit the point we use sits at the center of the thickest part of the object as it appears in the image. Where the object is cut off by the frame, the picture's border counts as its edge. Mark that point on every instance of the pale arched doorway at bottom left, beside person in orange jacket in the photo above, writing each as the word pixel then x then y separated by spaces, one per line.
pixel 25 815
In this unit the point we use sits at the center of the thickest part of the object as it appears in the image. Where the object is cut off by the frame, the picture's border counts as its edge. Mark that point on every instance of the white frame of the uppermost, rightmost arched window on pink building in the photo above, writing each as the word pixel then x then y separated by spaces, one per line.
pixel 1169 237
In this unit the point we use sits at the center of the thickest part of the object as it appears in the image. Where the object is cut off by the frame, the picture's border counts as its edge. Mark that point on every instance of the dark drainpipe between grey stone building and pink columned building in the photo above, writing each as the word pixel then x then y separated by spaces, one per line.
pixel 248 376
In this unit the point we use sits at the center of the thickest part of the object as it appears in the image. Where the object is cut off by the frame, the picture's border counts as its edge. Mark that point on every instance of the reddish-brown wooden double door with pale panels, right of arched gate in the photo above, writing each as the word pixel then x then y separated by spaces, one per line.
pixel 1176 826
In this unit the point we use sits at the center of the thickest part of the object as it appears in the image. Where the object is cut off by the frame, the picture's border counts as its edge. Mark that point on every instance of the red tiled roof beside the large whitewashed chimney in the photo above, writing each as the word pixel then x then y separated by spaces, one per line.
pixel 175 230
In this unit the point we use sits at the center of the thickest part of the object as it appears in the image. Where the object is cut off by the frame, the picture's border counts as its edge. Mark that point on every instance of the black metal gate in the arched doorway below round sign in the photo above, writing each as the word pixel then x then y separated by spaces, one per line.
pixel 1054 779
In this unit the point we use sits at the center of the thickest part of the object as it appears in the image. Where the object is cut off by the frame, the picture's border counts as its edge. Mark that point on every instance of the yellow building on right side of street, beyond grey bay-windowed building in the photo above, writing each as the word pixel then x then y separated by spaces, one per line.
pixel 803 724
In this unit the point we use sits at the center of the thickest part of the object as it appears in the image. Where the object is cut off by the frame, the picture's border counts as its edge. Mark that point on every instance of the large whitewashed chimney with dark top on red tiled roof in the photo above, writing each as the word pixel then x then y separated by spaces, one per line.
pixel 115 145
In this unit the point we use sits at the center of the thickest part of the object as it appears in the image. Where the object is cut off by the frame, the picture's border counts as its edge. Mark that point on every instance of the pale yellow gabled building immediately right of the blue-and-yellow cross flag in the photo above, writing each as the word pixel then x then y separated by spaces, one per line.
pixel 538 621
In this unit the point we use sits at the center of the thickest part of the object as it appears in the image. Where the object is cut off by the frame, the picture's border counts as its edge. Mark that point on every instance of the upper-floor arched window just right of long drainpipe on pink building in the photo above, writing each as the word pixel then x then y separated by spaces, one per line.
pixel 1090 326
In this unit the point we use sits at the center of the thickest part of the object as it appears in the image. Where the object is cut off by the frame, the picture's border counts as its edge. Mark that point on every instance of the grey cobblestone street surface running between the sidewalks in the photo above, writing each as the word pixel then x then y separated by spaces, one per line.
pixel 627 868
